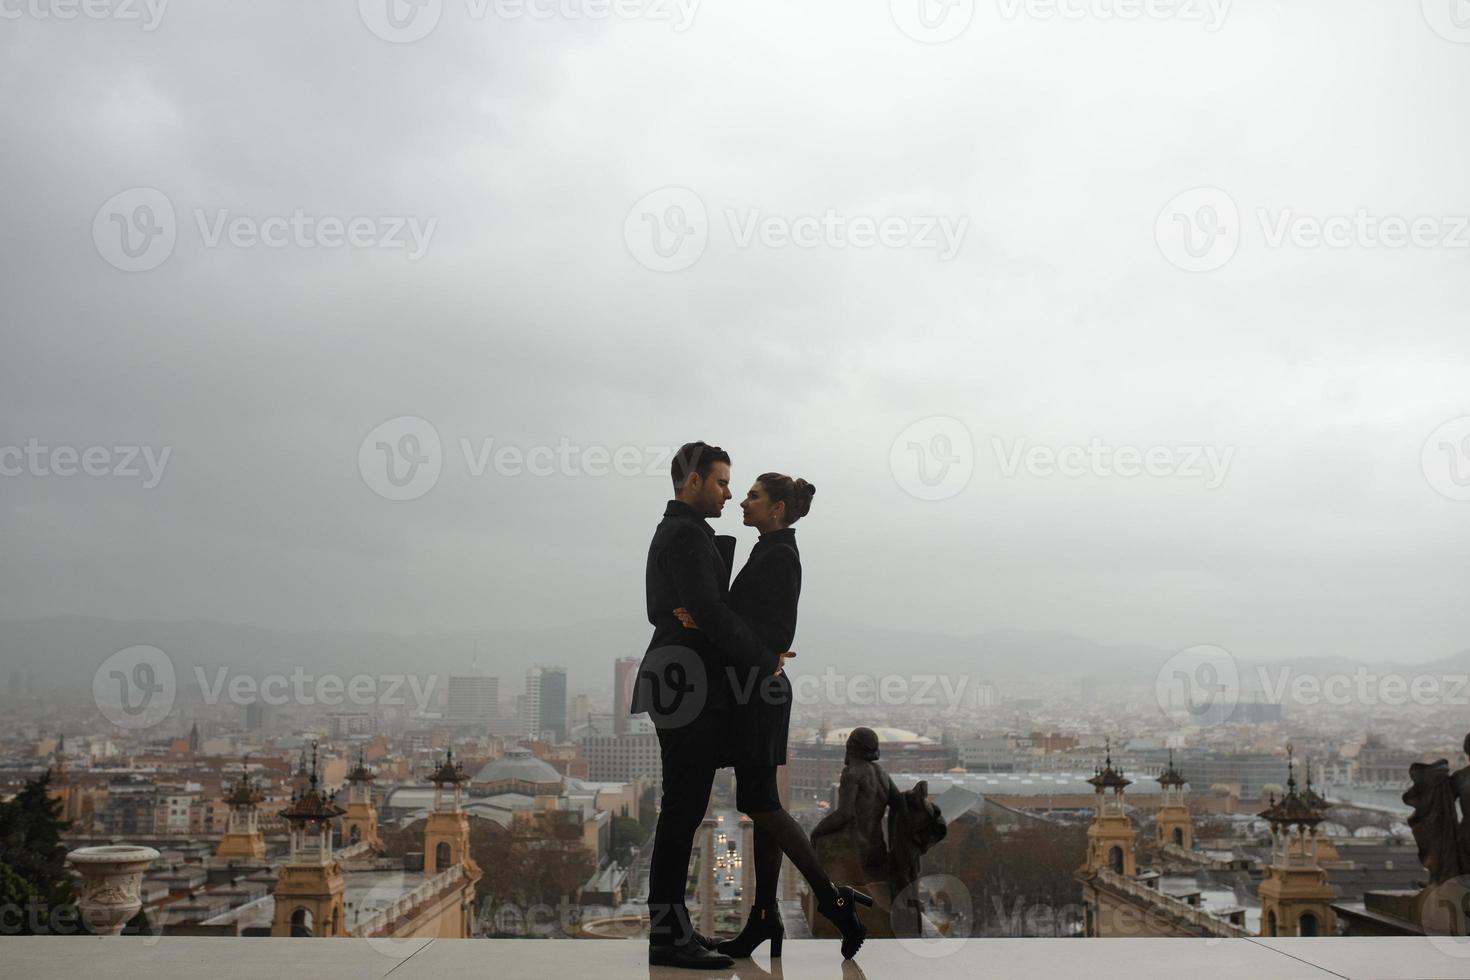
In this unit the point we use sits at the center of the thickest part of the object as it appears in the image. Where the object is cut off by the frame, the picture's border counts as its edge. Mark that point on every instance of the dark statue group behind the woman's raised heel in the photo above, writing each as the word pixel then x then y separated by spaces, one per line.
pixel 852 846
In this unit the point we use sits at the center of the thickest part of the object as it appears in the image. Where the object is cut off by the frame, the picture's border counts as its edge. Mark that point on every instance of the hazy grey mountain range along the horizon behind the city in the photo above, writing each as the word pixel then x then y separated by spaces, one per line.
pixel 67 652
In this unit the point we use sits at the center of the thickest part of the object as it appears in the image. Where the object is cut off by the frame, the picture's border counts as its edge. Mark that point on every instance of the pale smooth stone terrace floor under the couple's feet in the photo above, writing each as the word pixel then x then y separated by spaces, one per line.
pixel 209 959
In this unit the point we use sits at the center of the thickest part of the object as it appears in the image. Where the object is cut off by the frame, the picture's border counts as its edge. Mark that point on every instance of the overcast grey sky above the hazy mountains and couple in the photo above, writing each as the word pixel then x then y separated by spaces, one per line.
pixel 1040 284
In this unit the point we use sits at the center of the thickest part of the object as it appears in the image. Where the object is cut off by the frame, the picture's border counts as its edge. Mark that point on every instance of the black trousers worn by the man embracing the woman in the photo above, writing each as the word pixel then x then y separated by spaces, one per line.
pixel 690 760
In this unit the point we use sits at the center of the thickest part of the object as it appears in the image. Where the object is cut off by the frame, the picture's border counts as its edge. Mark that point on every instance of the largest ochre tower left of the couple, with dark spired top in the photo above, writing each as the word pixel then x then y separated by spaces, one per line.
pixel 309 893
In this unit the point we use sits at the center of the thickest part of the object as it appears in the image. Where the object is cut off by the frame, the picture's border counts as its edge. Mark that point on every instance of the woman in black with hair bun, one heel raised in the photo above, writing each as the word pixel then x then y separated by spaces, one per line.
pixel 765 594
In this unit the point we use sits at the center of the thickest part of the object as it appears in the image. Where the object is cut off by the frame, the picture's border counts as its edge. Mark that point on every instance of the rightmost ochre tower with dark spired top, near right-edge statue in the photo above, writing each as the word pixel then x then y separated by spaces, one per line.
pixel 1296 896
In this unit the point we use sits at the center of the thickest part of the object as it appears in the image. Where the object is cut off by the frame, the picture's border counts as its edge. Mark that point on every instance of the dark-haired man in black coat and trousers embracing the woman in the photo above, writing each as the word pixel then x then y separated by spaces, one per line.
pixel 684 685
